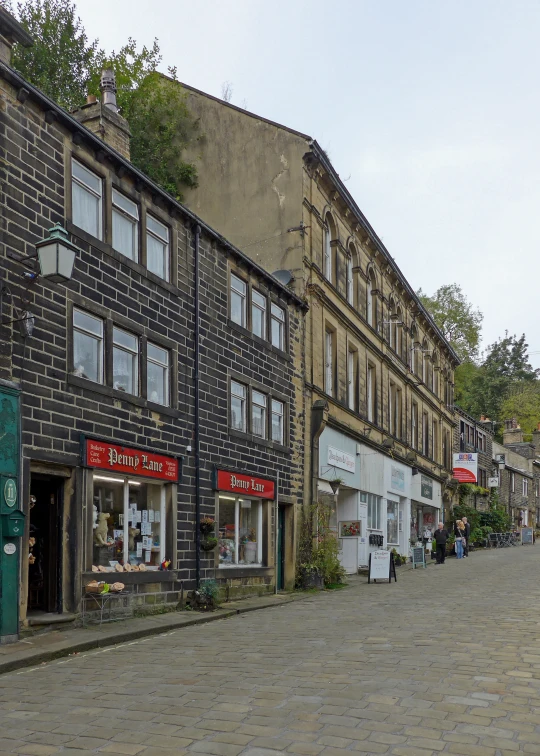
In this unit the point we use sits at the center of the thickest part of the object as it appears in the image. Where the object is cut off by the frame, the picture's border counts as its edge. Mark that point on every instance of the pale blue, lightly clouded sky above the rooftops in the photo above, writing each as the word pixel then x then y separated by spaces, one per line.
pixel 429 110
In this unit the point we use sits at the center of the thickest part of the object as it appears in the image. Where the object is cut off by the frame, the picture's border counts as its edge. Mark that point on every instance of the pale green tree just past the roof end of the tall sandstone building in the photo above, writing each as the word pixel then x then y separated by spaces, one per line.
pixel 455 316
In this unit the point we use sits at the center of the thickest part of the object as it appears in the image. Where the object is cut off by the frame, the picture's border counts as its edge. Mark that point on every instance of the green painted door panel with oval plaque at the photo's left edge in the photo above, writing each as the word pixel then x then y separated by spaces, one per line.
pixel 9 503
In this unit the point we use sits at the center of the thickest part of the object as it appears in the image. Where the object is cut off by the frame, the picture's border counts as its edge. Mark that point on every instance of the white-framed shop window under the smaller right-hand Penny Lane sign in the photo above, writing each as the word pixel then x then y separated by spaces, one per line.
pixel 240 531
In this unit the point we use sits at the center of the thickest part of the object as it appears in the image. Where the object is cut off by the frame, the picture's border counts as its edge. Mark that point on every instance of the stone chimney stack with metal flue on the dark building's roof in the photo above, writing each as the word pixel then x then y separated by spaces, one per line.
pixel 103 118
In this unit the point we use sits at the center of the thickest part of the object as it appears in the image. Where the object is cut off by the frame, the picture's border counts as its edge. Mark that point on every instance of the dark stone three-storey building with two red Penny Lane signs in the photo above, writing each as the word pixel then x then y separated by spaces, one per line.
pixel 119 392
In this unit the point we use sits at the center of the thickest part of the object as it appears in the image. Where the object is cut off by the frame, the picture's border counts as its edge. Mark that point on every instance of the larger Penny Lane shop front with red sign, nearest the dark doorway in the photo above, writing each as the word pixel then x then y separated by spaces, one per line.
pixel 129 523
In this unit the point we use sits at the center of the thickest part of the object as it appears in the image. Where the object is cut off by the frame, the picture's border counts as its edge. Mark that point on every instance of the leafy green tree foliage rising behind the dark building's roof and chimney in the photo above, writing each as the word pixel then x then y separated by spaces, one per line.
pixel 67 66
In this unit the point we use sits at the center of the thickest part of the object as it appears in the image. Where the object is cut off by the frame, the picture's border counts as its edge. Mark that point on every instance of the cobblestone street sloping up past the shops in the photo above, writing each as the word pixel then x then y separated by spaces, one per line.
pixel 446 660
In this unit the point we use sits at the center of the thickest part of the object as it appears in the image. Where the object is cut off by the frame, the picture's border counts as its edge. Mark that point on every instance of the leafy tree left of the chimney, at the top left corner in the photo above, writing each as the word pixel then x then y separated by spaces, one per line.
pixel 62 58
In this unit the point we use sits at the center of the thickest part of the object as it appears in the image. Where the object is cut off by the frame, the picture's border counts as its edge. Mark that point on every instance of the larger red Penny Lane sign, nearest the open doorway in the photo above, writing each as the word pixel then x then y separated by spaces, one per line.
pixel 124 459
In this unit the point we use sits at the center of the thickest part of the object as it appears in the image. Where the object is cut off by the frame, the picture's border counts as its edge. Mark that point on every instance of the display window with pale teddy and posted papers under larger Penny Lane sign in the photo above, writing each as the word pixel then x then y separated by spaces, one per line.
pixel 129 522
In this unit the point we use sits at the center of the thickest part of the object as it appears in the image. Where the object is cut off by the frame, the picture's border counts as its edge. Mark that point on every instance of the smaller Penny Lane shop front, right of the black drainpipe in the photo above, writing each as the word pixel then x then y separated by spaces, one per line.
pixel 247 516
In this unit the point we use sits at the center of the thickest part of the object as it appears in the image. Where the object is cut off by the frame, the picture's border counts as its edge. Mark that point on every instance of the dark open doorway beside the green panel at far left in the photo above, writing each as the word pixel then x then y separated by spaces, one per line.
pixel 45 547
